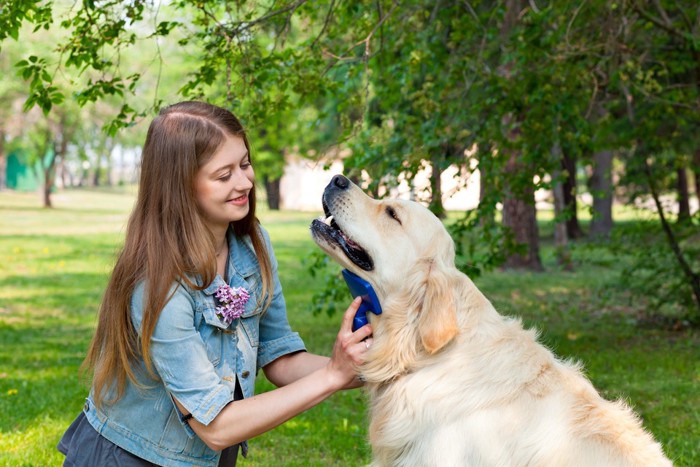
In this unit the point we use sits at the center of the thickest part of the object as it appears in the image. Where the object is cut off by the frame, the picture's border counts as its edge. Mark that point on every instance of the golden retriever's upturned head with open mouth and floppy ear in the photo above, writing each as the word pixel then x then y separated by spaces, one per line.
pixel 402 249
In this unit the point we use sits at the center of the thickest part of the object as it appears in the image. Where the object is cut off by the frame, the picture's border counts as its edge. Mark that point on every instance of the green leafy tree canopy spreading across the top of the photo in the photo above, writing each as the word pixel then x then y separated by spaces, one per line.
pixel 408 85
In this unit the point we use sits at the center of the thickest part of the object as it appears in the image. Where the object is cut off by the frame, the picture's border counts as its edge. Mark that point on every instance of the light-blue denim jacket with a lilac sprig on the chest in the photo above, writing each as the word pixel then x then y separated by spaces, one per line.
pixel 197 359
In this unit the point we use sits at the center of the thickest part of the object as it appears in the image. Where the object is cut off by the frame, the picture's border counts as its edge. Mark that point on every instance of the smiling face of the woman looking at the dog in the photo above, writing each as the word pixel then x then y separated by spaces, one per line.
pixel 222 184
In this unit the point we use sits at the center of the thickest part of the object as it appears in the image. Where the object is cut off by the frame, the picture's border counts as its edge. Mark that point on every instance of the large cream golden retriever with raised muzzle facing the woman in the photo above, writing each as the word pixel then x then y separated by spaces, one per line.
pixel 451 382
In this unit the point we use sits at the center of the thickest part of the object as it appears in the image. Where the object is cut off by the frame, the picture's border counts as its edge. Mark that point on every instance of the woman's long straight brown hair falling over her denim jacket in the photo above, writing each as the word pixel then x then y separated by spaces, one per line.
pixel 166 241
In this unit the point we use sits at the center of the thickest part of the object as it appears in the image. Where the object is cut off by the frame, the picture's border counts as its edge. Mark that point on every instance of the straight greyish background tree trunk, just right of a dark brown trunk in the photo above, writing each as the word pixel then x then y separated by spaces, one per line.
pixel 600 186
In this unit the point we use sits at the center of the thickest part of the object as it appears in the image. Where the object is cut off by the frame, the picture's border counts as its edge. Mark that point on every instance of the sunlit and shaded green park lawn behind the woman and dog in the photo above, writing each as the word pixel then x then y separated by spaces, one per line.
pixel 54 265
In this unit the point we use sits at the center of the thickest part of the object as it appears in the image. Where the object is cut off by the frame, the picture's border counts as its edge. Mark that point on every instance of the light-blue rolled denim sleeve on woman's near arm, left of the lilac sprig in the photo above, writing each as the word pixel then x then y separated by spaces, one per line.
pixel 179 356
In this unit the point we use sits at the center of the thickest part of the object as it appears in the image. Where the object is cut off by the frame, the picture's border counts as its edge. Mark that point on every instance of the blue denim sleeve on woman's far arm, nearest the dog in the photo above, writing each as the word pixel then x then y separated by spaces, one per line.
pixel 276 335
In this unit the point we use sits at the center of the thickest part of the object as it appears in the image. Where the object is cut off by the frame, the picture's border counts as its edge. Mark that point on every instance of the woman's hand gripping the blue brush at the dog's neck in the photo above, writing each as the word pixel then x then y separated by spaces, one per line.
pixel 350 349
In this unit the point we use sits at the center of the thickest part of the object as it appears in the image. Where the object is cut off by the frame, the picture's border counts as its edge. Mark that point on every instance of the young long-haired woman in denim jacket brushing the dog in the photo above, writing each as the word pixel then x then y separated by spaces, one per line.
pixel 193 309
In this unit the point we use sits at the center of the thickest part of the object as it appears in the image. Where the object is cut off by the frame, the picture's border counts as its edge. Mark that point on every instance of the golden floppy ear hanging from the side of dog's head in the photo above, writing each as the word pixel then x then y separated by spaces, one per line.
pixel 437 322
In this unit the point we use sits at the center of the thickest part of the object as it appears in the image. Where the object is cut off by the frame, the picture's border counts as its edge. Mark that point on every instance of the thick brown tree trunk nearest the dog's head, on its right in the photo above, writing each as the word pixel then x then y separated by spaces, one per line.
pixel 520 217
